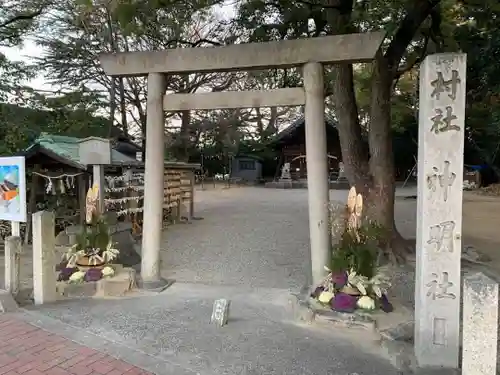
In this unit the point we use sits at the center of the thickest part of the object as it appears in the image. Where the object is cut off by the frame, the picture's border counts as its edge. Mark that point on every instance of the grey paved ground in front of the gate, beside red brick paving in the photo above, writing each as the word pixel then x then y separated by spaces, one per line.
pixel 170 334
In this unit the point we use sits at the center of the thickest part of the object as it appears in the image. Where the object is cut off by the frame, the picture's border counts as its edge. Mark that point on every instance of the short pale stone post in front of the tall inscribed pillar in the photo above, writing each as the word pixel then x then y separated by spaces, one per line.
pixel 480 326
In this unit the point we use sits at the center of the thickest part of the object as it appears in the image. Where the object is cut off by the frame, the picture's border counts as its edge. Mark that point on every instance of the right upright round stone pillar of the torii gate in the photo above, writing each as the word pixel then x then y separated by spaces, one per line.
pixel 317 170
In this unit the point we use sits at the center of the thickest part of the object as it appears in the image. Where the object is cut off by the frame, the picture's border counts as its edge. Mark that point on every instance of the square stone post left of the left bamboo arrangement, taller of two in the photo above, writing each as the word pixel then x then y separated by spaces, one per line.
pixel 44 275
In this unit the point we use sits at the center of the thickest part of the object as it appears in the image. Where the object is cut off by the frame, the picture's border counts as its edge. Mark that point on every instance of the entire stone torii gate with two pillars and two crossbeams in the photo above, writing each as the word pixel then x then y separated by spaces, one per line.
pixel 311 54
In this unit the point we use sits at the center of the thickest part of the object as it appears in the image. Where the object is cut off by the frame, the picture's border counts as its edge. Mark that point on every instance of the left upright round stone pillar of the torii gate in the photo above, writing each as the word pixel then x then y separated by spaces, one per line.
pixel 153 183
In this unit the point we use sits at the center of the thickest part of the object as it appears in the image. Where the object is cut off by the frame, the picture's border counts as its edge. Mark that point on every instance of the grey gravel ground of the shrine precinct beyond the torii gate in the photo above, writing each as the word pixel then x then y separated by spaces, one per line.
pixel 251 236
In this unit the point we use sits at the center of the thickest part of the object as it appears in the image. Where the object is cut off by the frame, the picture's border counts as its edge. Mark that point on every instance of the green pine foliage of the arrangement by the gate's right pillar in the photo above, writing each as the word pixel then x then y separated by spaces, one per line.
pixel 358 251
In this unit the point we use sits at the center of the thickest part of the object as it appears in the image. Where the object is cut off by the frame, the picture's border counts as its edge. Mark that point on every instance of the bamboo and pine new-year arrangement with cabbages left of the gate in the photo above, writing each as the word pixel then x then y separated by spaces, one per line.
pixel 89 258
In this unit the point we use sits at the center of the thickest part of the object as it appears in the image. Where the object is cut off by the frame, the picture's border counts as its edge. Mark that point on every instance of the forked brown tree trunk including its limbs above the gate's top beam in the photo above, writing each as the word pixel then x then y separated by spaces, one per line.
pixel 372 170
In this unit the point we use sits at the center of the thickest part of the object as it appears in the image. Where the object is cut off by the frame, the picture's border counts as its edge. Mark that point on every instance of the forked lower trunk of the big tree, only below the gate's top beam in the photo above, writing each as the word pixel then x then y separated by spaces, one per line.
pixel 370 170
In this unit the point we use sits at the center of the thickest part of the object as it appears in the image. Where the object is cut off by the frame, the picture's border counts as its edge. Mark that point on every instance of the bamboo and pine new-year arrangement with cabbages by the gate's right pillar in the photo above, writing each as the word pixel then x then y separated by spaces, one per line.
pixel 354 281
